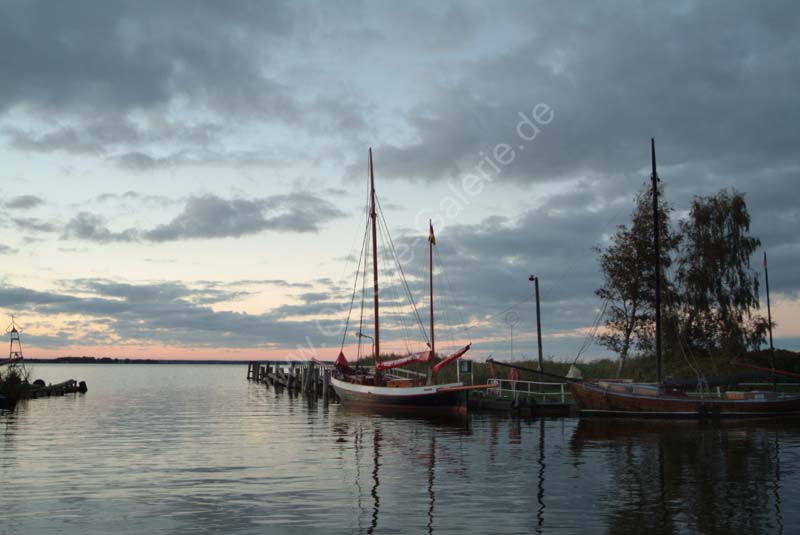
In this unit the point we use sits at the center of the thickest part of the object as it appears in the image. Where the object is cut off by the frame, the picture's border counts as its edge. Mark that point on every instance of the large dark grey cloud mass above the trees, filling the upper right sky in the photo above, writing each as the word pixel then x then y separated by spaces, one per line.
pixel 713 82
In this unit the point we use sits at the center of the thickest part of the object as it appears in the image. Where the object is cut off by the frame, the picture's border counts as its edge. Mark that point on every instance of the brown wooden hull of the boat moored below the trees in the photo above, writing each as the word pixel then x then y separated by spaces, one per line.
pixel 595 399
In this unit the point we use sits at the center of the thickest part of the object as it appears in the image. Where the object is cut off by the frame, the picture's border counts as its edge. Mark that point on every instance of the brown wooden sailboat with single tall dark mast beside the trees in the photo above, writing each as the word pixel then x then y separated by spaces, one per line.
pixel 647 399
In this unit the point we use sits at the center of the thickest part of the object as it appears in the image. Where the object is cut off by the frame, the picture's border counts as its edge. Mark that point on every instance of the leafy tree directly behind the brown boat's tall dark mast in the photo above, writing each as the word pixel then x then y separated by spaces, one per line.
pixel 628 268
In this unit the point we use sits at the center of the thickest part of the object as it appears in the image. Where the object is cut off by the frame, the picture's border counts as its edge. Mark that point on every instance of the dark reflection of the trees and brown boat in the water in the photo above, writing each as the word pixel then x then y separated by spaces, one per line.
pixel 670 476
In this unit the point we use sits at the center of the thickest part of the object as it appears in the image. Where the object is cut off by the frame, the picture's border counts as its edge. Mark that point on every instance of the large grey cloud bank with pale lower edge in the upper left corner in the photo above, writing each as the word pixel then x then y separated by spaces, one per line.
pixel 109 75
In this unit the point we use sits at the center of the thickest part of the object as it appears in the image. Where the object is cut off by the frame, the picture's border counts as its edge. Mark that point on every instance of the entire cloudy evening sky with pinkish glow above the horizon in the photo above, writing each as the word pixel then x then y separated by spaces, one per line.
pixel 188 179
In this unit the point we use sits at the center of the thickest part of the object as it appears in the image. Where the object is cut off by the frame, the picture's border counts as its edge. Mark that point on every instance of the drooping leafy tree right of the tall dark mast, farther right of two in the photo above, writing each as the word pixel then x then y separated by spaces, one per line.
pixel 719 289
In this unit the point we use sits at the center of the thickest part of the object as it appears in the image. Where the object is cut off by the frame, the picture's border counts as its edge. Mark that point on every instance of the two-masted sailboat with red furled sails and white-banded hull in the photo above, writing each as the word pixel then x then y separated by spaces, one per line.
pixel 381 386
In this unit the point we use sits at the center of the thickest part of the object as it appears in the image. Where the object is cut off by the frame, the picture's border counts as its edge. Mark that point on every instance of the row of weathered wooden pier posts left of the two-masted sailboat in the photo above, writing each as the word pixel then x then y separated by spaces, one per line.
pixel 311 377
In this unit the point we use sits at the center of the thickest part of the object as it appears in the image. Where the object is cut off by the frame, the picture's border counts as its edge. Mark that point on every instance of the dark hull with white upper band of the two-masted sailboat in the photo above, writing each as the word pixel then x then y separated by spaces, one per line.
pixel 440 398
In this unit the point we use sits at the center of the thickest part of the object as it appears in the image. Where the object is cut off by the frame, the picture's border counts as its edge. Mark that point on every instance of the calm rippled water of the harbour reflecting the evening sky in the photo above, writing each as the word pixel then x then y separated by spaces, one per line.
pixel 197 449
